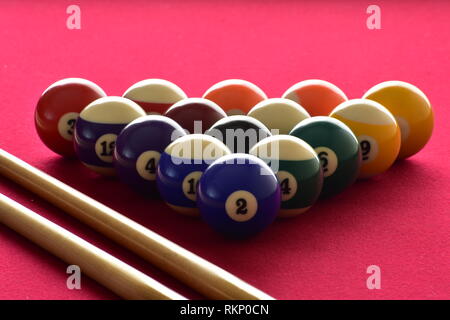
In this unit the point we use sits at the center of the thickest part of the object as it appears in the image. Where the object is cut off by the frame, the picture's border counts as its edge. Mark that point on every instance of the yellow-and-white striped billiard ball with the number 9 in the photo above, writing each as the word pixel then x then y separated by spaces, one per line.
pixel 376 130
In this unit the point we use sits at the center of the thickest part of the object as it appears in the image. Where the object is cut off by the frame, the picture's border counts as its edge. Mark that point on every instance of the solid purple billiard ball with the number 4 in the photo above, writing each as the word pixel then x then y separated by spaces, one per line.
pixel 138 150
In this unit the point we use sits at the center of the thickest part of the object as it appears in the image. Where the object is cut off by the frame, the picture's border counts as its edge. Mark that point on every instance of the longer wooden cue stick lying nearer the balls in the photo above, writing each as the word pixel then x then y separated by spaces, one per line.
pixel 199 274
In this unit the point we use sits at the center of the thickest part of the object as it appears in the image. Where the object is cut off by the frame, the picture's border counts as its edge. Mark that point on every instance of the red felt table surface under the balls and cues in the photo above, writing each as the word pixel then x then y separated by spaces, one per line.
pixel 399 221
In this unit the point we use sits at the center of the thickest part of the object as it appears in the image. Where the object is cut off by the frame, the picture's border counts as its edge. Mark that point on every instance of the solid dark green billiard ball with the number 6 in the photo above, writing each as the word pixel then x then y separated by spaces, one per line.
pixel 337 149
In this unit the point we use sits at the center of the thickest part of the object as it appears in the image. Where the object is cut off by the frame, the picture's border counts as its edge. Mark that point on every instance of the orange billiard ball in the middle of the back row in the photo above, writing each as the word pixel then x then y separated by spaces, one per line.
pixel 235 96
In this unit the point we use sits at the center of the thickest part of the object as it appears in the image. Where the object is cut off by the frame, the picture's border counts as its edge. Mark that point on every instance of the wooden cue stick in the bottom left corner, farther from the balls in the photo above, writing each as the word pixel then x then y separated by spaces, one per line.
pixel 107 270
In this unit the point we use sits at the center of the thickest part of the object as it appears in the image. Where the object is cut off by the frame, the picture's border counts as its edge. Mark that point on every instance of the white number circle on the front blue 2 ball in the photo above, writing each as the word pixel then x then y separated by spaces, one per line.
pixel 241 206
